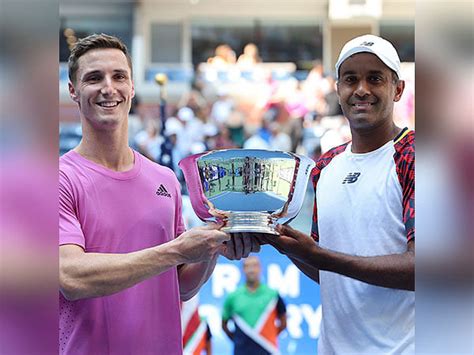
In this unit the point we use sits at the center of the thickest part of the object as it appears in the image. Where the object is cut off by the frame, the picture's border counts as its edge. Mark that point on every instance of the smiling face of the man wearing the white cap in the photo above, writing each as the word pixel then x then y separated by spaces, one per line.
pixel 367 90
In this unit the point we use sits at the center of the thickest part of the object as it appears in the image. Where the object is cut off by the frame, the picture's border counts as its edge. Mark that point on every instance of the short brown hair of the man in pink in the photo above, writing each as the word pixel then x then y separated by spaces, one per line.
pixel 95 41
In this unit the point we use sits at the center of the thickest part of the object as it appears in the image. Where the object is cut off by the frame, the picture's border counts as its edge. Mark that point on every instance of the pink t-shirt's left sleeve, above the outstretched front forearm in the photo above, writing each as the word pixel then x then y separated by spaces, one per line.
pixel 70 231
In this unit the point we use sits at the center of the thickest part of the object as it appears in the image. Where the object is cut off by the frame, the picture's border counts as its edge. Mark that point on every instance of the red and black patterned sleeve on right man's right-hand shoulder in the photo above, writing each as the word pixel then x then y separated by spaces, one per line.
pixel 405 162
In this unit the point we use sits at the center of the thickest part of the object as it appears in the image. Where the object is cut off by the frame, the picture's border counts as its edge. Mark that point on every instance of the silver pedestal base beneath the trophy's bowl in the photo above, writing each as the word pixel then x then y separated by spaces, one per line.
pixel 249 222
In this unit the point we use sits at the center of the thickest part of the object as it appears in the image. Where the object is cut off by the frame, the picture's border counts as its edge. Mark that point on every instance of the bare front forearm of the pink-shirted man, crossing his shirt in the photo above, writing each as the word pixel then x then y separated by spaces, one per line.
pixel 86 275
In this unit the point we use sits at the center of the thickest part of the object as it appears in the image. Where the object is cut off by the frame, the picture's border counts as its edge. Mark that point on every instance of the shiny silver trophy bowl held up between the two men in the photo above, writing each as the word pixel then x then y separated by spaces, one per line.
pixel 250 190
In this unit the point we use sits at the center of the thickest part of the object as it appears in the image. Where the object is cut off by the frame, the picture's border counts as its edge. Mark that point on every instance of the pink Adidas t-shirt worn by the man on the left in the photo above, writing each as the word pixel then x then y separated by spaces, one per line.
pixel 119 212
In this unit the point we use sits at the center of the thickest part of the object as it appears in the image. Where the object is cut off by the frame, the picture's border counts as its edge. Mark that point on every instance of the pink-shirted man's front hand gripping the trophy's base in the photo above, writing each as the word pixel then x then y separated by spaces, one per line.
pixel 201 243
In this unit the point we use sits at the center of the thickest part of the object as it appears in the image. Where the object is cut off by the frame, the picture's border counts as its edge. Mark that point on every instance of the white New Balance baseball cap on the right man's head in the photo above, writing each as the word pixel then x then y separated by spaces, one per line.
pixel 382 48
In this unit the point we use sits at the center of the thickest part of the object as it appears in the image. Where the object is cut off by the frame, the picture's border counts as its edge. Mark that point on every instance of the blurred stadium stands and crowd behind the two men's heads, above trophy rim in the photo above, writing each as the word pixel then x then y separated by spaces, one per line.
pixel 240 74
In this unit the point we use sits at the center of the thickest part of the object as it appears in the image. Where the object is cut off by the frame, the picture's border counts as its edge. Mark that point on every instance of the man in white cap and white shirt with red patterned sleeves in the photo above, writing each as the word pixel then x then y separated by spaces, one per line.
pixel 362 250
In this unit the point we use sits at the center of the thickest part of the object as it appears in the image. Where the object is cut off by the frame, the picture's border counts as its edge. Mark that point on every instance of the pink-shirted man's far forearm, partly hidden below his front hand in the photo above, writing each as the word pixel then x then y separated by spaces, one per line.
pixel 193 276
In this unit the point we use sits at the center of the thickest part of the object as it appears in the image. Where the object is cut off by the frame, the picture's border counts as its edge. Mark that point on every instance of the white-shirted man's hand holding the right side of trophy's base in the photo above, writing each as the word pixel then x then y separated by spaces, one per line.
pixel 290 242
